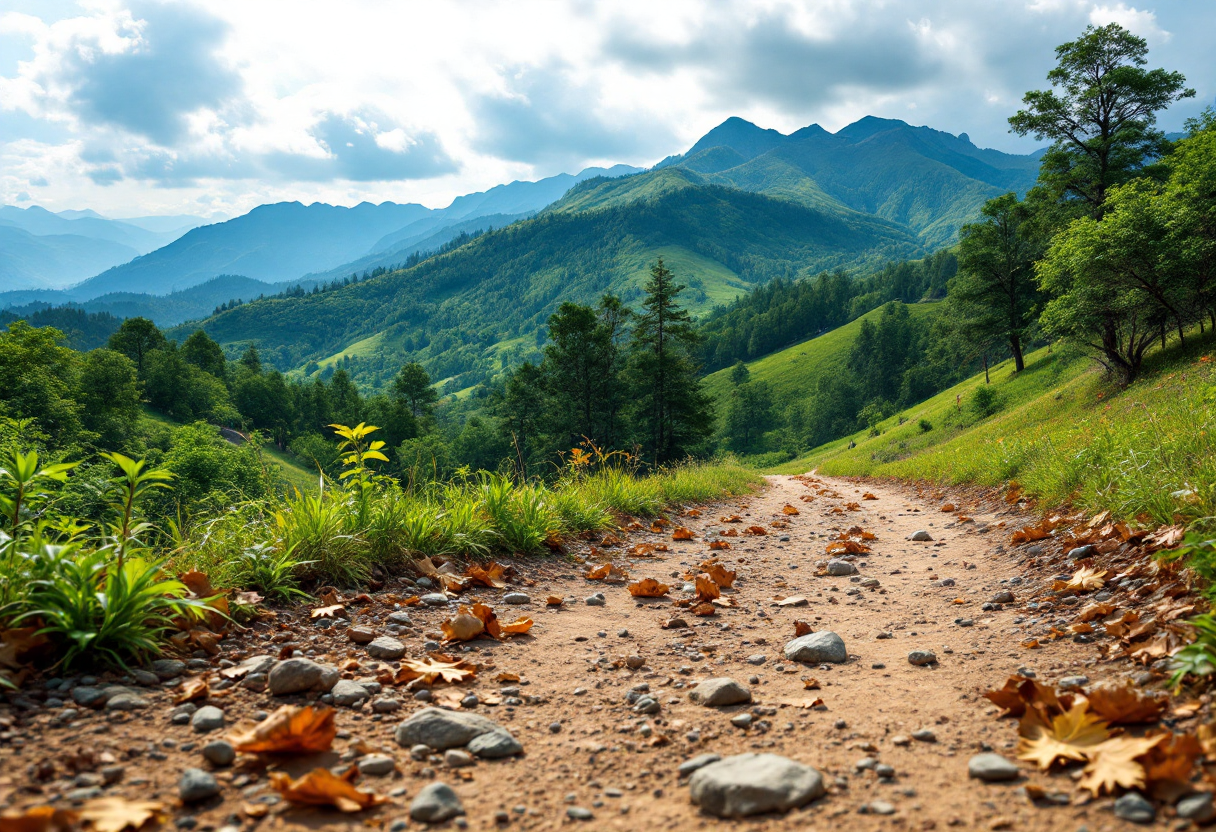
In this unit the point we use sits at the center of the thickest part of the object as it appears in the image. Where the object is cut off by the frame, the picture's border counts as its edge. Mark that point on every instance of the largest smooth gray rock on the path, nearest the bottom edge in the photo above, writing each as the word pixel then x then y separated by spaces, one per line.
pixel 753 785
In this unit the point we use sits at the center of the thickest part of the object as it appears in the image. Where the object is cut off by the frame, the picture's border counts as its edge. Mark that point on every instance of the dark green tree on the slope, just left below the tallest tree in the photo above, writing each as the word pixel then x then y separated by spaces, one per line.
pixel 995 288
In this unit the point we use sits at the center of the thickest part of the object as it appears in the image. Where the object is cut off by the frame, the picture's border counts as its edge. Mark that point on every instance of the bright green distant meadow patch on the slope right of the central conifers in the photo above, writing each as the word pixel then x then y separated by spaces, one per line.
pixel 796 370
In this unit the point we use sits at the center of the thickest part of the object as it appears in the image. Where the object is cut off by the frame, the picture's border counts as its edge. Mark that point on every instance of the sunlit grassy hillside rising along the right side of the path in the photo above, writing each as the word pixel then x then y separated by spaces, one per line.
pixel 1065 434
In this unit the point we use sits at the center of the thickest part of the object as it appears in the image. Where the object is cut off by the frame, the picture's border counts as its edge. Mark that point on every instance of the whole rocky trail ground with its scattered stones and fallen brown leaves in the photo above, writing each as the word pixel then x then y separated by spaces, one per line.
pixel 838 683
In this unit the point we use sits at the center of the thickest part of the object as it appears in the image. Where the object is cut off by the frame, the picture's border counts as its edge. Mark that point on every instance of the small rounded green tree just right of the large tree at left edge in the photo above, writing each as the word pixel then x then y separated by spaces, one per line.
pixel 109 393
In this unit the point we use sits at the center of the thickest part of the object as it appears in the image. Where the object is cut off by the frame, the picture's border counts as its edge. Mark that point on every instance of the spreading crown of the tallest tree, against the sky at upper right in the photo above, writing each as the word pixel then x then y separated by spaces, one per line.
pixel 1100 115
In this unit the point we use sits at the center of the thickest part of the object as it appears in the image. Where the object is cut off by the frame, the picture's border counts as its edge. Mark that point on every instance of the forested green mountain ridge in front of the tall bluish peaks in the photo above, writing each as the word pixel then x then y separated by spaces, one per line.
pixel 449 312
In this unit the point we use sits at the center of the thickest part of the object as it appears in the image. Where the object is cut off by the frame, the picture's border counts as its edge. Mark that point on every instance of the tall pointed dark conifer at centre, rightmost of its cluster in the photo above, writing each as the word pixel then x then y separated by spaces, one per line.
pixel 673 415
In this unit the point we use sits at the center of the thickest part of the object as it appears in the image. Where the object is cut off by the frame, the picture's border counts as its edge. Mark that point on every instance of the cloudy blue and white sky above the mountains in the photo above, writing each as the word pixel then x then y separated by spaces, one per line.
pixel 144 106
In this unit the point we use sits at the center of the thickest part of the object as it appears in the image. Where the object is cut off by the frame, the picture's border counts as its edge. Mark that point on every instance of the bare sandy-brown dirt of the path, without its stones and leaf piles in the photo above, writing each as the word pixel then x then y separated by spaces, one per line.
pixel 584 745
